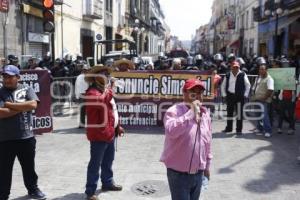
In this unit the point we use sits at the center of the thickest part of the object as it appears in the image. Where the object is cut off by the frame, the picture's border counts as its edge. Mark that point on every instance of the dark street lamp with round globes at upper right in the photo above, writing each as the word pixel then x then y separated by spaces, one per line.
pixel 273 8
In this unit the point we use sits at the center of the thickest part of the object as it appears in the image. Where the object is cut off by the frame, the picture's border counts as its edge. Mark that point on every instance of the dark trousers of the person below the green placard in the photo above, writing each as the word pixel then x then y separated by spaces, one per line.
pixel 287 112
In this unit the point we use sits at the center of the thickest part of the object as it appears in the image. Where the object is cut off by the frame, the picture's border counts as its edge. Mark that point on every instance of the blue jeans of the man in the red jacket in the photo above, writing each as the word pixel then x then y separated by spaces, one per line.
pixel 102 155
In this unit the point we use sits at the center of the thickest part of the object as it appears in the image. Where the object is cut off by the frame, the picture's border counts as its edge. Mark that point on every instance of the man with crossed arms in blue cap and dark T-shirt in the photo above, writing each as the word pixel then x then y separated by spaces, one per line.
pixel 16 136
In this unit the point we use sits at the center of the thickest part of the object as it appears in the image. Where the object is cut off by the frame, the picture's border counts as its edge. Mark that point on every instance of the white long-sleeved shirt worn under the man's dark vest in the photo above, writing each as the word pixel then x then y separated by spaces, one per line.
pixel 232 81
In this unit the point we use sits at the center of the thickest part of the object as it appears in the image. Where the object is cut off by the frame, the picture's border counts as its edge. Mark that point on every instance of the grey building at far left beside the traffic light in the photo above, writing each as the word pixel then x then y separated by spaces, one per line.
pixel 23 34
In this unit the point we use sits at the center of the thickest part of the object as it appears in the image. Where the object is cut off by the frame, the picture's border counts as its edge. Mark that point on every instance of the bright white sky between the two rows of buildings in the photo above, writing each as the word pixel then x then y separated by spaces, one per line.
pixel 185 16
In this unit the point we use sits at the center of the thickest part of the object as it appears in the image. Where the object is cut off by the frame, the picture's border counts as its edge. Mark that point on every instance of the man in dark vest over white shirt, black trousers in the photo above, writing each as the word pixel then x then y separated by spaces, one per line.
pixel 235 88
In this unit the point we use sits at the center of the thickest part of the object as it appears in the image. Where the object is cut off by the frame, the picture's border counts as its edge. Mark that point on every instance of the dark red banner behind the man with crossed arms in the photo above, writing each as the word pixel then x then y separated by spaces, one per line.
pixel 39 80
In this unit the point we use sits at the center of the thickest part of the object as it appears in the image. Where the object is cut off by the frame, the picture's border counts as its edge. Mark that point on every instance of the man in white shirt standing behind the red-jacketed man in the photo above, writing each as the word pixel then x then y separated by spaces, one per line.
pixel 80 88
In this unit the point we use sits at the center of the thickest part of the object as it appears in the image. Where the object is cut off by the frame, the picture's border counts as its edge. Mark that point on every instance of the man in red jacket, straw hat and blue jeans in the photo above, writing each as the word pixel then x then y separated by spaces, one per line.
pixel 102 126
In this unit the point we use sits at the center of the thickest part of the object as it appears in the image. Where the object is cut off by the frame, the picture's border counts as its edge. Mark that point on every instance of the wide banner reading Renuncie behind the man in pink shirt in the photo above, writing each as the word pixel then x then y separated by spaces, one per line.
pixel 146 95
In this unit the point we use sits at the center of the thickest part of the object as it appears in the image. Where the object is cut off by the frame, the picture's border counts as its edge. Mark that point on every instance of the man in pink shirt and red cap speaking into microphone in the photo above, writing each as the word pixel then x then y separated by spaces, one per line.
pixel 187 150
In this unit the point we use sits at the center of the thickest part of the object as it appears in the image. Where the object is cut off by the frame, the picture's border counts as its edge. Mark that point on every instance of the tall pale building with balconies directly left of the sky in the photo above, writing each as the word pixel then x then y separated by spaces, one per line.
pixel 146 23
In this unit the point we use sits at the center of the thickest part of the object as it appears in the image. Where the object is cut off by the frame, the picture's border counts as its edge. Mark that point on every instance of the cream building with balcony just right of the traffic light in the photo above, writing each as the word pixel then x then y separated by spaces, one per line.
pixel 76 25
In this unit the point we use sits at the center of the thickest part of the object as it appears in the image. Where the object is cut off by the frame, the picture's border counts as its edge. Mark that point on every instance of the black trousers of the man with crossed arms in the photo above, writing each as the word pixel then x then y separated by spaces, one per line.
pixel 24 150
